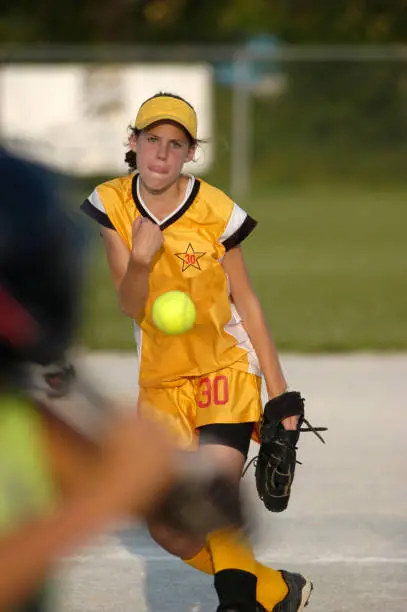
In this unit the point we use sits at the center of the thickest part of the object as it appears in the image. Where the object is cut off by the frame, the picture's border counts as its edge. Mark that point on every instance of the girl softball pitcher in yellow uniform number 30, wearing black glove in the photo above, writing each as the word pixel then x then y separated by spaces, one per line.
pixel 164 230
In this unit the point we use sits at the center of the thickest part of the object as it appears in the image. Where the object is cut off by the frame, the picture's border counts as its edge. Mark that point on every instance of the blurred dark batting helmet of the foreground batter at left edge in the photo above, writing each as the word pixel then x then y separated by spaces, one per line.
pixel 41 251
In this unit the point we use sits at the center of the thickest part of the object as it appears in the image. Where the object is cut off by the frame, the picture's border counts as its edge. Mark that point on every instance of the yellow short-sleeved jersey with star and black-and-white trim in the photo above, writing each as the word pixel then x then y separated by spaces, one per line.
pixel 196 236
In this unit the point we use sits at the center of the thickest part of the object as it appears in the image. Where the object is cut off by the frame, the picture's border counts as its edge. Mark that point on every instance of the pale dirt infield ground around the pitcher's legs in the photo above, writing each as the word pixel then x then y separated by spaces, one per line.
pixel 346 525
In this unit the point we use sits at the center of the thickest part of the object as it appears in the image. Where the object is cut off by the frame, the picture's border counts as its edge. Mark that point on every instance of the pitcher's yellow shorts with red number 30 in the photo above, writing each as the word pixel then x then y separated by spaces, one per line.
pixel 225 396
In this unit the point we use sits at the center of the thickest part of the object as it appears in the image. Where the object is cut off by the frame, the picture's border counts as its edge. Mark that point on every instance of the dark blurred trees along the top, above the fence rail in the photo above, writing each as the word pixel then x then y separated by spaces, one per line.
pixel 132 21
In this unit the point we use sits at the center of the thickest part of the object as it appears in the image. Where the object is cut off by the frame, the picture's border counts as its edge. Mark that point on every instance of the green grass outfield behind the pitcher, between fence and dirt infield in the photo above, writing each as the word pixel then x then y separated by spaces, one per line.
pixel 329 265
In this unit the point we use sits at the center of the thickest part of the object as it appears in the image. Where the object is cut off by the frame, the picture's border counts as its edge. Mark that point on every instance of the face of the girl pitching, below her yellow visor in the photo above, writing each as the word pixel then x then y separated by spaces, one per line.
pixel 162 150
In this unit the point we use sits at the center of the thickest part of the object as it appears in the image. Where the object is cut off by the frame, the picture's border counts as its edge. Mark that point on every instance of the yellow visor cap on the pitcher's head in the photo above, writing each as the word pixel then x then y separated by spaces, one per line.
pixel 172 109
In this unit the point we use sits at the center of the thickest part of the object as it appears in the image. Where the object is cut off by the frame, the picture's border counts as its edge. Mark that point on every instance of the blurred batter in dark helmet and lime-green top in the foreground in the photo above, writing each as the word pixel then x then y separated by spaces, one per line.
pixel 58 486
